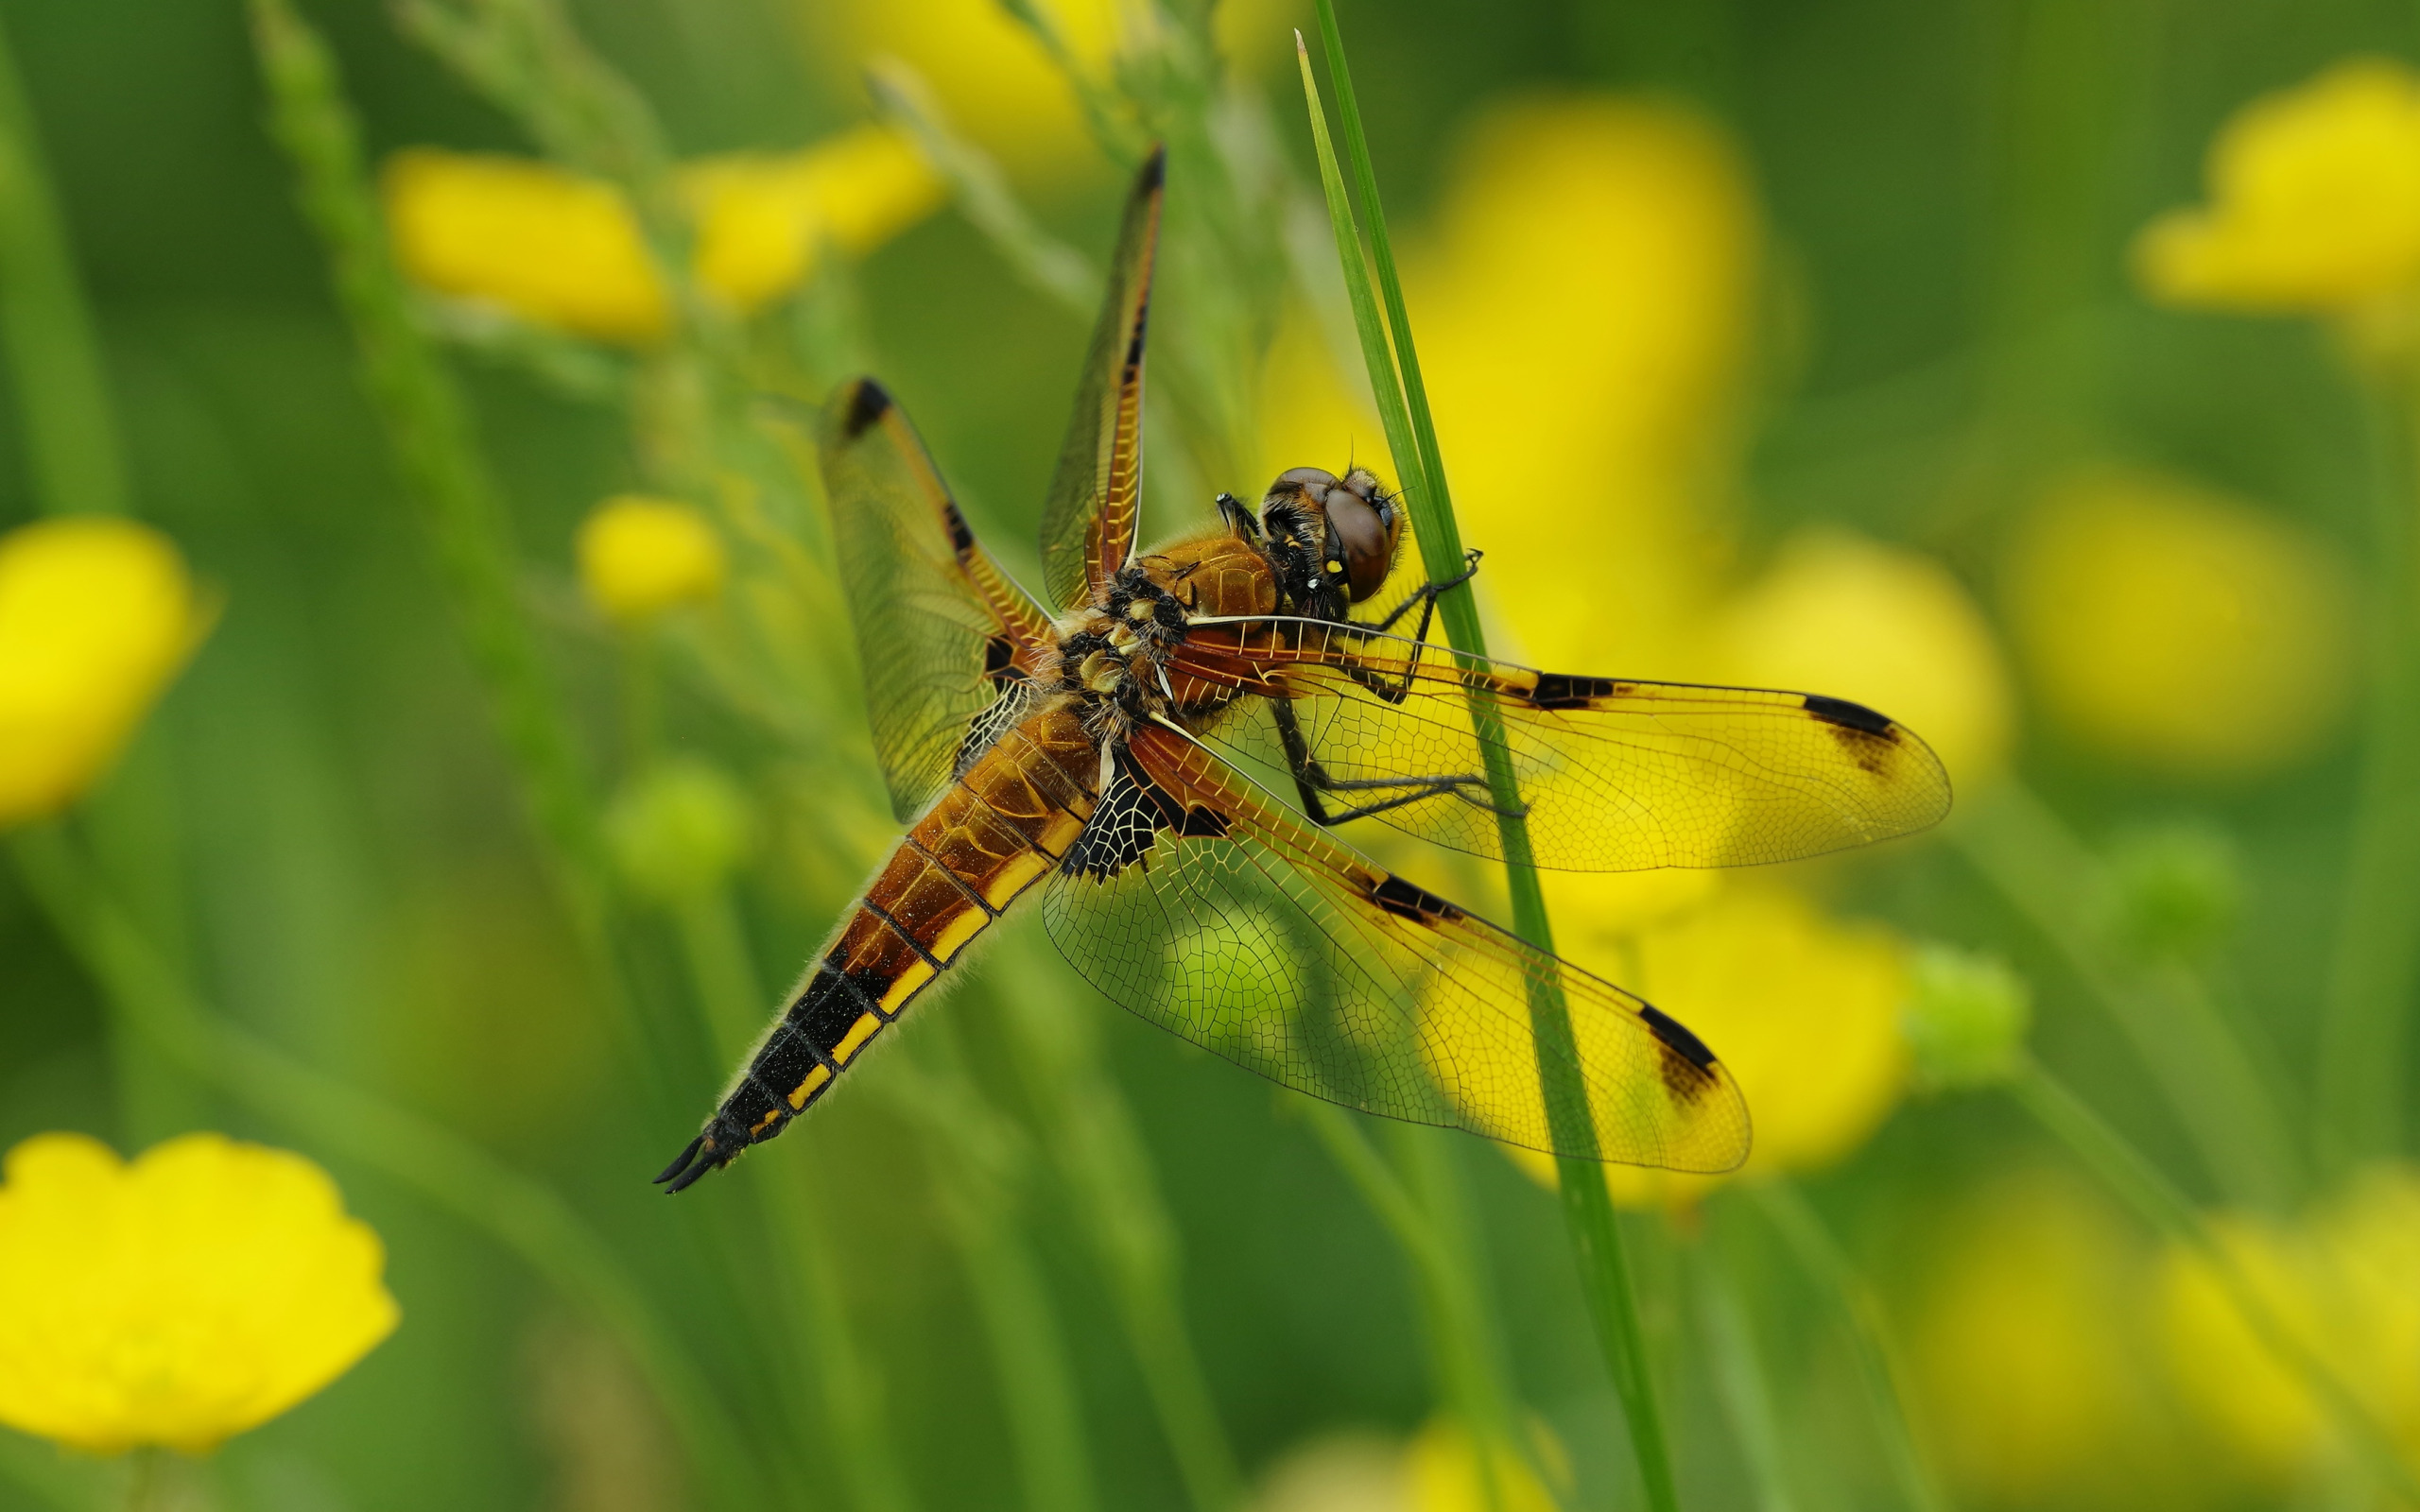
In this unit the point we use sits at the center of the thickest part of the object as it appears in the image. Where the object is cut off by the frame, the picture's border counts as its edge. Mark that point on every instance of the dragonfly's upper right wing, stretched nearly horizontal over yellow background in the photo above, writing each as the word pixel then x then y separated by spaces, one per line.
pixel 1615 775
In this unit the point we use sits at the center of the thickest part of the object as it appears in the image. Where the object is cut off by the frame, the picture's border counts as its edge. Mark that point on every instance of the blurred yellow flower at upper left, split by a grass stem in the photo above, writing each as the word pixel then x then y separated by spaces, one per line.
pixel 567 253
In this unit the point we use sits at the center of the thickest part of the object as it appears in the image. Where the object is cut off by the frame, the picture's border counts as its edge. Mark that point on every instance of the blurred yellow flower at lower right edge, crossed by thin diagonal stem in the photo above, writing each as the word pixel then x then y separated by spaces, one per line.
pixel 2346 1283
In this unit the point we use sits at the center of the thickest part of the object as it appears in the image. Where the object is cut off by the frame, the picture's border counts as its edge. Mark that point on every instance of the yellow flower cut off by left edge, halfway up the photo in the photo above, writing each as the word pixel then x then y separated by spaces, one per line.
pixel 96 618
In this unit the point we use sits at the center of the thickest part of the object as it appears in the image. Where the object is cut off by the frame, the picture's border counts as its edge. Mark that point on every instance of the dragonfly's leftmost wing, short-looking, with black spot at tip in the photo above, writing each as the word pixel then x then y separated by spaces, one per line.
pixel 947 642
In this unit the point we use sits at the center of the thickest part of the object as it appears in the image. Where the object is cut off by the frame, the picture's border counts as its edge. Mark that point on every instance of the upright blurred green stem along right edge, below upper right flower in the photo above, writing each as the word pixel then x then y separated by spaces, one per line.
pixel 2378 947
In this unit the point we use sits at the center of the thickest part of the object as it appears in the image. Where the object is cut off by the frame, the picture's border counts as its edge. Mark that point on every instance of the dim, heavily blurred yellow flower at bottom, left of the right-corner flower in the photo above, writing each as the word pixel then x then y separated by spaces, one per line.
pixel 2024 1354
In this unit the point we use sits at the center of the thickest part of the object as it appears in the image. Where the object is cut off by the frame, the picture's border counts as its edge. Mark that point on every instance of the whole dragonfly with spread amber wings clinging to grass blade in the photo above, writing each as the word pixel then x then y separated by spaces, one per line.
pixel 1165 749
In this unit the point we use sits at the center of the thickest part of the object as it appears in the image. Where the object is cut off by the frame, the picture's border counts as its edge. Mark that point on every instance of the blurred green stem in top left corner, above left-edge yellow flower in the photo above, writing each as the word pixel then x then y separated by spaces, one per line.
pixel 47 333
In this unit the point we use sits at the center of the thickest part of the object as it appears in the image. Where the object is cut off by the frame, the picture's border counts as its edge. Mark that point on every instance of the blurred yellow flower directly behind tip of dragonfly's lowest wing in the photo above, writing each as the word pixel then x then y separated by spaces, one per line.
pixel 1802 1008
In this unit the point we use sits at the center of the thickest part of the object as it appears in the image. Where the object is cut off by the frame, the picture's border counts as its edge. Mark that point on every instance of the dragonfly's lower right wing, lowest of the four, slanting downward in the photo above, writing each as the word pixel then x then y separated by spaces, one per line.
pixel 1206 908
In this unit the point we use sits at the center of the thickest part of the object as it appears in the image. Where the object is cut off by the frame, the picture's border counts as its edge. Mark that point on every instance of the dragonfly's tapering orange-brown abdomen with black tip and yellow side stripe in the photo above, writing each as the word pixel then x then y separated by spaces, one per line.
pixel 979 848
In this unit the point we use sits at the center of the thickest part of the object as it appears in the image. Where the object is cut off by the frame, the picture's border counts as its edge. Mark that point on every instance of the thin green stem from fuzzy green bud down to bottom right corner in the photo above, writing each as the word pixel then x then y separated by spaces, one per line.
pixel 2150 1194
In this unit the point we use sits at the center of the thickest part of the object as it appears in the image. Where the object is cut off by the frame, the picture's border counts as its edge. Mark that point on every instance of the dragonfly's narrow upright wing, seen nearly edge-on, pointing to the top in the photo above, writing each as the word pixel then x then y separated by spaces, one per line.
pixel 1097 490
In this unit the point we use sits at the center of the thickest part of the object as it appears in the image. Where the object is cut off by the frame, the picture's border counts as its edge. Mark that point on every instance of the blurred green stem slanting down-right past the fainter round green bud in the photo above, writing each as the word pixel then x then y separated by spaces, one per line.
pixel 2196 1058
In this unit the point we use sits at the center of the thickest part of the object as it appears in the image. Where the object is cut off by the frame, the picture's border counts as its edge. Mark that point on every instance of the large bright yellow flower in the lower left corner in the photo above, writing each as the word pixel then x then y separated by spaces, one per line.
pixel 175 1300
